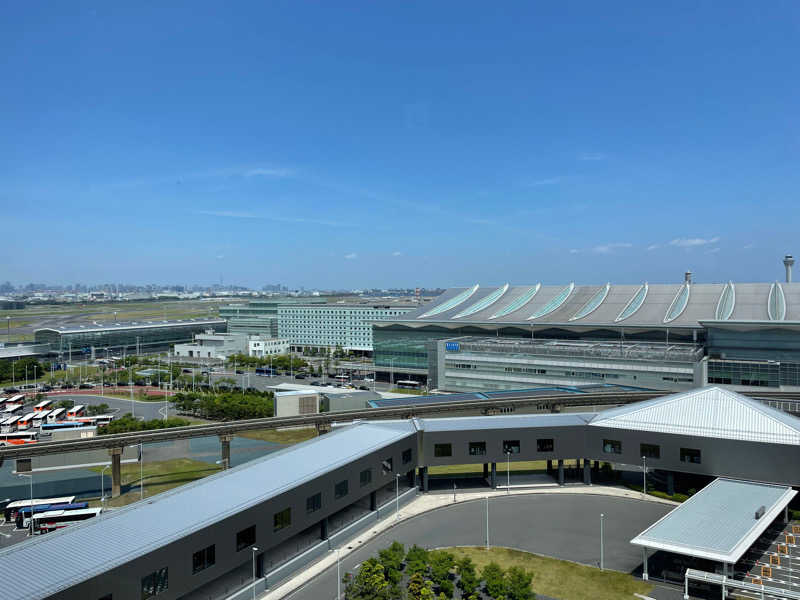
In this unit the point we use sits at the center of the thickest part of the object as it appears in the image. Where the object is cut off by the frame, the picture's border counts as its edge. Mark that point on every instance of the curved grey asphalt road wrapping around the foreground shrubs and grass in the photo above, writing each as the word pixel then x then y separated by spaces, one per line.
pixel 563 526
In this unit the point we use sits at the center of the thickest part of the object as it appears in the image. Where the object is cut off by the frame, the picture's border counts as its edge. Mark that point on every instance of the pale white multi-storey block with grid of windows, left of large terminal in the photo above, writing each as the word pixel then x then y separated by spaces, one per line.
pixel 329 325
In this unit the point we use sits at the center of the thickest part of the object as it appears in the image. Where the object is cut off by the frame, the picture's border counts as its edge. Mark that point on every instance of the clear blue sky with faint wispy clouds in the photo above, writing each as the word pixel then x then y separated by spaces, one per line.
pixel 338 144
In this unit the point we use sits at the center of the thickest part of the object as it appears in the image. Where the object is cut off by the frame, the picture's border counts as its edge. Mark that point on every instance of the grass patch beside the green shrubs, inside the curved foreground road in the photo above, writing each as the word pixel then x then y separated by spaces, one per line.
pixel 559 578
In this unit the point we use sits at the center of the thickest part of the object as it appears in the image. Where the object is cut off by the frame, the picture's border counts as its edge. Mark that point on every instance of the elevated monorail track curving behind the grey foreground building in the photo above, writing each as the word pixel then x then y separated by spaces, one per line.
pixel 324 420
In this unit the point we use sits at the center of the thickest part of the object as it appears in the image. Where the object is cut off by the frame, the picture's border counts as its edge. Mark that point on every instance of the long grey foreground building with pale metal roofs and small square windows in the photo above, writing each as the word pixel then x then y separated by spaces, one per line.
pixel 201 540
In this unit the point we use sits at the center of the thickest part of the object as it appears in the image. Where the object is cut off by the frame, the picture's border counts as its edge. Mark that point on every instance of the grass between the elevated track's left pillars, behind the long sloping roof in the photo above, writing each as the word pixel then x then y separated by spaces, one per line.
pixel 158 476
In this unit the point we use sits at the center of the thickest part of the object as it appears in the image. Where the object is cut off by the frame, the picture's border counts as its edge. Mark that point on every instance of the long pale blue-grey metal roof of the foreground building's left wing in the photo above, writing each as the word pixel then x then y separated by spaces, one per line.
pixel 115 538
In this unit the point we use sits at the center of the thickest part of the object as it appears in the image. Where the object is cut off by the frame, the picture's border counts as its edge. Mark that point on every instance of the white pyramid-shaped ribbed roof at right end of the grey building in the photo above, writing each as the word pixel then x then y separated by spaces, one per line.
pixel 706 412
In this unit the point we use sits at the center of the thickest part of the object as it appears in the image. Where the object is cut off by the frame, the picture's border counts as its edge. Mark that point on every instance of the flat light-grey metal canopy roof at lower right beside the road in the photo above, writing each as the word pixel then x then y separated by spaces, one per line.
pixel 720 522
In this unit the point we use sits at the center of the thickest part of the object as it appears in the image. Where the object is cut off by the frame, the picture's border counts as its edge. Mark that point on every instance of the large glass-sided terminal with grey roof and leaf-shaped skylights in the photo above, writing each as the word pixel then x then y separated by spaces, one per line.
pixel 743 335
